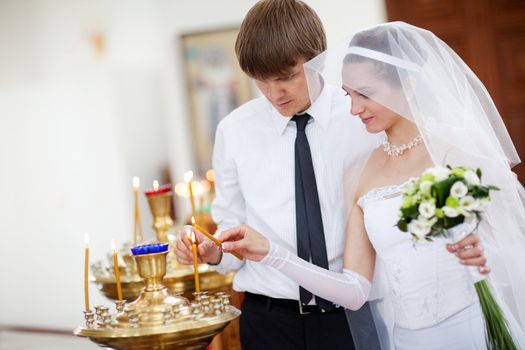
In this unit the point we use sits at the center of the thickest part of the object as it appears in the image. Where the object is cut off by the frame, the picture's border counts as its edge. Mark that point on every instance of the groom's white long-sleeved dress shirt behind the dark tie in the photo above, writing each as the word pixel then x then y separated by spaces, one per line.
pixel 254 167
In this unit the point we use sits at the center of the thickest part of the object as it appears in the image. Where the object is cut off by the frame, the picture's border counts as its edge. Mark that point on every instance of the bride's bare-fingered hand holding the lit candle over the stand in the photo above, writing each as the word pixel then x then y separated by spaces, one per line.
pixel 245 241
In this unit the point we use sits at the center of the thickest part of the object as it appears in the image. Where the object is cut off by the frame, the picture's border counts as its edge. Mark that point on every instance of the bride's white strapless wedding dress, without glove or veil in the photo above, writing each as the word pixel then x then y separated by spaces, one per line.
pixel 431 299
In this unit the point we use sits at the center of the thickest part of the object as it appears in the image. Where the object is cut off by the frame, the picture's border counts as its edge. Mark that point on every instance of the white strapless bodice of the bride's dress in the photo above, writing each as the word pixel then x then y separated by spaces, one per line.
pixel 425 282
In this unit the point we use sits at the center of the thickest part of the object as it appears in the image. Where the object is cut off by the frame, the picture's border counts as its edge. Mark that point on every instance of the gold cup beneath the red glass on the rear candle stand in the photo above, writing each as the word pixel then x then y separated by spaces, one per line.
pixel 160 206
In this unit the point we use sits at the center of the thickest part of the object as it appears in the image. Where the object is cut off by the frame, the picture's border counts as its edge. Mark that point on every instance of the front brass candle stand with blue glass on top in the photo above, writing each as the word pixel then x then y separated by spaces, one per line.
pixel 158 319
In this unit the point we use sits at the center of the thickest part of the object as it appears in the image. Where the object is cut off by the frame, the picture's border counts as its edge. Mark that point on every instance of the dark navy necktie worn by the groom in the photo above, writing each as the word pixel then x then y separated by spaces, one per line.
pixel 309 222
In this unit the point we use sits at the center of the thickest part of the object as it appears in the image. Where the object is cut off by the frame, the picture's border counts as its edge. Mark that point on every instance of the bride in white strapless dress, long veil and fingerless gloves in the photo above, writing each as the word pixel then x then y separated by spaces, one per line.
pixel 433 110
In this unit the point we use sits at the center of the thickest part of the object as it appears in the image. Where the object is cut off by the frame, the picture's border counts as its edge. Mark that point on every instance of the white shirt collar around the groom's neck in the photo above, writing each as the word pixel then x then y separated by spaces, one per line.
pixel 319 111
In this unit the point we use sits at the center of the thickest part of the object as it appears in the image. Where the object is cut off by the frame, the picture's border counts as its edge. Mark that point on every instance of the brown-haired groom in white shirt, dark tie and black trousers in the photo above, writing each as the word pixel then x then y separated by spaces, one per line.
pixel 279 162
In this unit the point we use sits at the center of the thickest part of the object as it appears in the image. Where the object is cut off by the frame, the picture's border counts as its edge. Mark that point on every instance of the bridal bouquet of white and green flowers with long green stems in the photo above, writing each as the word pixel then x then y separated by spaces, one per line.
pixel 449 202
